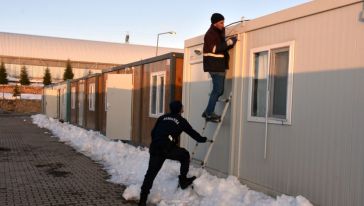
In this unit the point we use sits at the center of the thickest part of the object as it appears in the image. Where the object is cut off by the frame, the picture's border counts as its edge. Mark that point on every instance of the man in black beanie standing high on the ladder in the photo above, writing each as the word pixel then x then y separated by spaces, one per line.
pixel 216 62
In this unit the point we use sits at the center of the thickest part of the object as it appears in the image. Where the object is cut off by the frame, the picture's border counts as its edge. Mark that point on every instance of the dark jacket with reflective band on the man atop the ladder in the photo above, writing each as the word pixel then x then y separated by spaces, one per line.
pixel 215 51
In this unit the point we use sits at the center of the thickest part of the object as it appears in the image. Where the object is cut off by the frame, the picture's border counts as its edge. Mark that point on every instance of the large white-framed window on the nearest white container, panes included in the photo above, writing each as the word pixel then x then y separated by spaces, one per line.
pixel 270 85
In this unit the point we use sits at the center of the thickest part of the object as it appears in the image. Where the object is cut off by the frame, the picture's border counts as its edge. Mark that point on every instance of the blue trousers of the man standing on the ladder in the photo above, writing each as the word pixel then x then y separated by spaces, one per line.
pixel 218 82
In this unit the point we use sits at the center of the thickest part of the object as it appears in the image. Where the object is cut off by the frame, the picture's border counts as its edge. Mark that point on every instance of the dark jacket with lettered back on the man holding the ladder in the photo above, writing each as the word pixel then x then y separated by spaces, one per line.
pixel 167 130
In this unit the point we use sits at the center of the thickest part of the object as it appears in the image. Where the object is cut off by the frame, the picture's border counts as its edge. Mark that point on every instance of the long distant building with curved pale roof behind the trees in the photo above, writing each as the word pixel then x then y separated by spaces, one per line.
pixel 37 53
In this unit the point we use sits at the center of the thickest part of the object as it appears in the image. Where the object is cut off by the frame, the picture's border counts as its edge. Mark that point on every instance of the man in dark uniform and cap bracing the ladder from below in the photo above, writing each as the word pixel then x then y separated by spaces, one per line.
pixel 165 135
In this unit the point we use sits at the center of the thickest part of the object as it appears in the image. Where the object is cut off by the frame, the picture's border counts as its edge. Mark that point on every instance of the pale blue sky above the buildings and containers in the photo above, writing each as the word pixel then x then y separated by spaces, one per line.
pixel 111 20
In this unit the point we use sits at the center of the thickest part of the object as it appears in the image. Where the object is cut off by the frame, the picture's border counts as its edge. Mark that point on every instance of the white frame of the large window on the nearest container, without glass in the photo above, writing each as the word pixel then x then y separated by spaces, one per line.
pixel 270 49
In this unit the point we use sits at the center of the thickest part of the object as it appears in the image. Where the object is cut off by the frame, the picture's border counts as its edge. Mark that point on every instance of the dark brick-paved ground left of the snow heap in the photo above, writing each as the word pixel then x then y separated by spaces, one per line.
pixel 36 169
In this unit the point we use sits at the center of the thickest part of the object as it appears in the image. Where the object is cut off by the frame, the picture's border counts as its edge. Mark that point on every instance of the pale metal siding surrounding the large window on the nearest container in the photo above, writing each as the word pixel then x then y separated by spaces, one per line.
pixel 320 155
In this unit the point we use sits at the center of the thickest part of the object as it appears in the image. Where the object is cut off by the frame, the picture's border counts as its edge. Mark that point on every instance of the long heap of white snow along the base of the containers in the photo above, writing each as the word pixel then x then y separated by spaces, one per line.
pixel 127 166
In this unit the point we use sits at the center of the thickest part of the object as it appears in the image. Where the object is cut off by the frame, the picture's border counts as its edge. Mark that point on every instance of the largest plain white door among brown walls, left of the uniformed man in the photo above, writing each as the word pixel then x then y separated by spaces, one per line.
pixel 119 88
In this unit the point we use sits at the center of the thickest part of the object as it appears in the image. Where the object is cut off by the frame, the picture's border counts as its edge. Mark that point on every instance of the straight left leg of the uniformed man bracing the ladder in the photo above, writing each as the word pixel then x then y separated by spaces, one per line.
pixel 155 164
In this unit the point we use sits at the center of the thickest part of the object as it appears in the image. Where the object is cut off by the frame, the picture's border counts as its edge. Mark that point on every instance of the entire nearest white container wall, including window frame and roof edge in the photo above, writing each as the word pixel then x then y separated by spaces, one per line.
pixel 316 150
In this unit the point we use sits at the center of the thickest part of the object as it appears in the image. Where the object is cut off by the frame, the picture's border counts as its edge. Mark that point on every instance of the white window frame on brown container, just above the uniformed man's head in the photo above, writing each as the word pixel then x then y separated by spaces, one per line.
pixel 158 74
